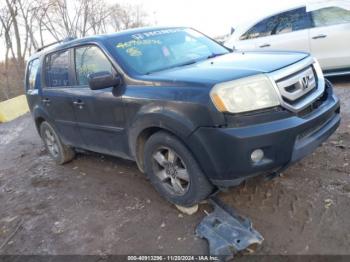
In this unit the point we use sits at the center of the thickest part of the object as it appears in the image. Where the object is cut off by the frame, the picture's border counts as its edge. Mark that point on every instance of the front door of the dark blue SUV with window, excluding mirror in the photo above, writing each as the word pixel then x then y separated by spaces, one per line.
pixel 99 113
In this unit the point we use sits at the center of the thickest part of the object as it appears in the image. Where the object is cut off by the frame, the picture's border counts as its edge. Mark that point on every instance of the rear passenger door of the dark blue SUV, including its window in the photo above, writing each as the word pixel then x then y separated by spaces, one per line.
pixel 57 96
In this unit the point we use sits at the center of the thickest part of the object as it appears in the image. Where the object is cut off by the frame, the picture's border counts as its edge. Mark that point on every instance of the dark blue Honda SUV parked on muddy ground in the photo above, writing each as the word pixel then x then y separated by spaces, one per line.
pixel 194 115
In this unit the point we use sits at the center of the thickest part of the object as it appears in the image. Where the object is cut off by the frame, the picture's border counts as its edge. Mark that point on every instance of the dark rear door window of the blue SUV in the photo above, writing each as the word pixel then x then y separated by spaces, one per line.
pixel 57 69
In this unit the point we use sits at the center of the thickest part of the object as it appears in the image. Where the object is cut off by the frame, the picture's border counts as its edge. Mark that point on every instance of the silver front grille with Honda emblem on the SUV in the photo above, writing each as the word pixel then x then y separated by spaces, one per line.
pixel 299 85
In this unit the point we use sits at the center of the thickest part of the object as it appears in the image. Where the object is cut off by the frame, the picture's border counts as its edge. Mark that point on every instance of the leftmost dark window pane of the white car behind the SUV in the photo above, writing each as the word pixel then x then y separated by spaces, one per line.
pixel 266 27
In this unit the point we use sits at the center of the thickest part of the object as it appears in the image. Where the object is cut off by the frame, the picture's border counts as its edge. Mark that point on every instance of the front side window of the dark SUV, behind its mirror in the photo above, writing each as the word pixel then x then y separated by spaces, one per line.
pixel 90 59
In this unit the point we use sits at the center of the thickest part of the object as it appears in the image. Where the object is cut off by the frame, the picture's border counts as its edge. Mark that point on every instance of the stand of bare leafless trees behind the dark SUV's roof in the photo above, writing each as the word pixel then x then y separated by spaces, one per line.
pixel 27 24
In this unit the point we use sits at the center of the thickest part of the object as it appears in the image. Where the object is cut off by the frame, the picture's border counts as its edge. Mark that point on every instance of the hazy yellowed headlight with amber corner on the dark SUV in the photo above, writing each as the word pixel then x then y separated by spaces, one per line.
pixel 247 94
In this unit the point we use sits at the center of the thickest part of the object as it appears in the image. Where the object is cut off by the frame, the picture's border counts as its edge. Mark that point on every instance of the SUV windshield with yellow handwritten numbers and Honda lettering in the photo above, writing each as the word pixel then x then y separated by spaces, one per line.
pixel 153 51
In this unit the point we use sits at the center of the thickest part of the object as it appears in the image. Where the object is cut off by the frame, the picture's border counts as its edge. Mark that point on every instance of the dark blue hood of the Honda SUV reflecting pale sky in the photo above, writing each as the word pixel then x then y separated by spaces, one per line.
pixel 227 67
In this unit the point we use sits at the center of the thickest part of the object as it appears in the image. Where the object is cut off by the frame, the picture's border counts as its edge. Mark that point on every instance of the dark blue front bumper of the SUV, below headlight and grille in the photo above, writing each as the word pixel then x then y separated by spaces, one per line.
pixel 225 153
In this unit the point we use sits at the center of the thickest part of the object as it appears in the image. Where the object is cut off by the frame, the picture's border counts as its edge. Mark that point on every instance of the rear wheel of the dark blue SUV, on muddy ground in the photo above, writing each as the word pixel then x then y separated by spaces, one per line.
pixel 53 144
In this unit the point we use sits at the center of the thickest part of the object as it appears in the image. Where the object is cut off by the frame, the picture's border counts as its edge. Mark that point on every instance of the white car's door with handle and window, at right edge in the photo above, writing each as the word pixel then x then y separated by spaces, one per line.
pixel 330 37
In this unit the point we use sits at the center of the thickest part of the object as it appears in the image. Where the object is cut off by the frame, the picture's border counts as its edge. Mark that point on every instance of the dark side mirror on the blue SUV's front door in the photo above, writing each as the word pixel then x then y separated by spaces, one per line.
pixel 101 80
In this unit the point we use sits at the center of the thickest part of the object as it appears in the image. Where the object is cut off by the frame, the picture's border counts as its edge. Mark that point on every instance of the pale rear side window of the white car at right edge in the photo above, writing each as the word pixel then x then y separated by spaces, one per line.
pixel 330 16
